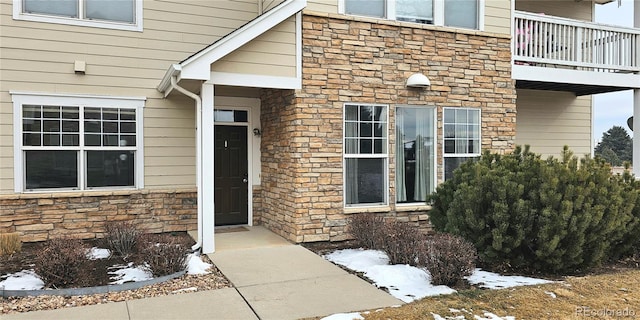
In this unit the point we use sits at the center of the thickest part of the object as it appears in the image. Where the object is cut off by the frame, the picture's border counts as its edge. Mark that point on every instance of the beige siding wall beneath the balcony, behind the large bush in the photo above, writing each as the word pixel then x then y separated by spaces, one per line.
pixel 549 120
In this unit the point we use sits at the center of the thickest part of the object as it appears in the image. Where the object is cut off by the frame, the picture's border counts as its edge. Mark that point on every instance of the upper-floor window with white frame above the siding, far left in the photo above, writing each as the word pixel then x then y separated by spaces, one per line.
pixel 112 14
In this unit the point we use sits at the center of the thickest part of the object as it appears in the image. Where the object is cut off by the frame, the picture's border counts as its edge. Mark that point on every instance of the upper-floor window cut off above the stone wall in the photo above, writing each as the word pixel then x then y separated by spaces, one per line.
pixel 453 13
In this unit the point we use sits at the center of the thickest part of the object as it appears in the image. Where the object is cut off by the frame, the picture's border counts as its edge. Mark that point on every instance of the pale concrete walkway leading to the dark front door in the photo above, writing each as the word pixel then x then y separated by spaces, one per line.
pixel 272 278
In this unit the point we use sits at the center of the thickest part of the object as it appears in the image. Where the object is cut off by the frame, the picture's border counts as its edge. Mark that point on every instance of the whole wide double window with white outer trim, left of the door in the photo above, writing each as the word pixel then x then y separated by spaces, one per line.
pixel 72 143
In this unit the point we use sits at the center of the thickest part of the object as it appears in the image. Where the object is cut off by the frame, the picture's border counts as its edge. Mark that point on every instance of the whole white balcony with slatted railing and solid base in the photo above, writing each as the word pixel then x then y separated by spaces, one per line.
pixel 553 53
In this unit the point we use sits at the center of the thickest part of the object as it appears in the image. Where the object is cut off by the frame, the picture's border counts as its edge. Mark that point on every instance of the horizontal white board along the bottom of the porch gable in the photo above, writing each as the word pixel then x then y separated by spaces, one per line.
pixel 253 80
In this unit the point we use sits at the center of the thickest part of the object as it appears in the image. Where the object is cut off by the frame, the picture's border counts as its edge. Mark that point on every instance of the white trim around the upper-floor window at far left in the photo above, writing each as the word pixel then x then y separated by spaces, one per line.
pixel 18 14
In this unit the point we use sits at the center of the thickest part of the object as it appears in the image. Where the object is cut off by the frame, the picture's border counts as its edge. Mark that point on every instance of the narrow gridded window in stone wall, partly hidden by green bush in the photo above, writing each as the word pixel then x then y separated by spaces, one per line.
pixel 461 137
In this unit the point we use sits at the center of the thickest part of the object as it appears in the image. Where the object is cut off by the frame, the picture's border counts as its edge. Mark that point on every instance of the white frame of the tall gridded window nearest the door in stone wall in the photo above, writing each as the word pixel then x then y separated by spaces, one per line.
pixel 384 156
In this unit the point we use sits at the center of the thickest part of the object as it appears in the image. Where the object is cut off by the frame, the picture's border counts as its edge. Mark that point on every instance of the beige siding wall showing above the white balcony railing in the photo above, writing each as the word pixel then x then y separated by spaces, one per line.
pixel 579 10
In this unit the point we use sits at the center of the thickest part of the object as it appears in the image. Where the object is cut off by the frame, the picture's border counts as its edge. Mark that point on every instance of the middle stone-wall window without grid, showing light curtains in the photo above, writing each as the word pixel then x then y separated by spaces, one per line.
pixel 415 154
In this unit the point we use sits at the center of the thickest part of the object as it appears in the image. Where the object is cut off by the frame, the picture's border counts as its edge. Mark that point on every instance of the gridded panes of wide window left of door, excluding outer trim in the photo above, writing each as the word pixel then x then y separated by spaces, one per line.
pixel 54 154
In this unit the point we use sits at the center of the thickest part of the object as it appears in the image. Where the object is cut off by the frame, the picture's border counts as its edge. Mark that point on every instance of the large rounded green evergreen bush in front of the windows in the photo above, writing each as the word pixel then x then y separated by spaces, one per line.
pixel 550 215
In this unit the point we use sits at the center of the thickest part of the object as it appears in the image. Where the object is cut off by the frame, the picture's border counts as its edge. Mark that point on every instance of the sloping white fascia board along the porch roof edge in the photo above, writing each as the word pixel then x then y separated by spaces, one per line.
pixel 198 67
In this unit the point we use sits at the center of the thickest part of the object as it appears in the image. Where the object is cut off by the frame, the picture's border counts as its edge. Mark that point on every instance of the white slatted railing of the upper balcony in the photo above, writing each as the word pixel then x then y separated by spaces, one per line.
pixel 542 40
